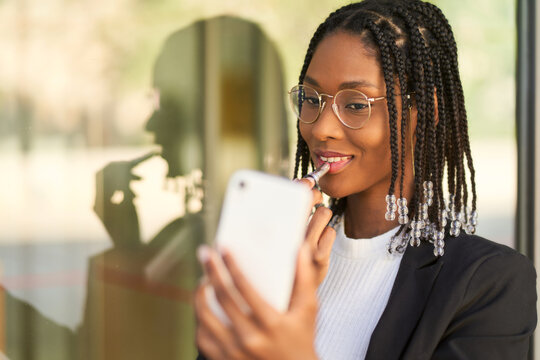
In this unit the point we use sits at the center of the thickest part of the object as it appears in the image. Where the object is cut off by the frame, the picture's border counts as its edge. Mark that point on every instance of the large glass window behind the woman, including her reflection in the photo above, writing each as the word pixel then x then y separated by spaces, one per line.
pixel 120 123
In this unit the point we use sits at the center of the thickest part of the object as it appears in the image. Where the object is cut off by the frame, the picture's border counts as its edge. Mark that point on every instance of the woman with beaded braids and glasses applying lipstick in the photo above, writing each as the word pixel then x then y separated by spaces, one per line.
pixel 380 99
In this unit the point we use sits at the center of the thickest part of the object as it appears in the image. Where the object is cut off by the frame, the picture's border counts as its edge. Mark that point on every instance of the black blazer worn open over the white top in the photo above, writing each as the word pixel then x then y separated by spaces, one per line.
pixel 478 301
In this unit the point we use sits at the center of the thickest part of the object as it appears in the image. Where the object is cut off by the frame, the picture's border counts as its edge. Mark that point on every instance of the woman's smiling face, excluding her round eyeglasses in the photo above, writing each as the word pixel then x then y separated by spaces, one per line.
pixel 341 61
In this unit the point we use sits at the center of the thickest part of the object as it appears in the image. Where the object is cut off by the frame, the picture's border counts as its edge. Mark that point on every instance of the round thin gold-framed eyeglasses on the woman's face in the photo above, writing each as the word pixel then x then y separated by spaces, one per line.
pixel 352 107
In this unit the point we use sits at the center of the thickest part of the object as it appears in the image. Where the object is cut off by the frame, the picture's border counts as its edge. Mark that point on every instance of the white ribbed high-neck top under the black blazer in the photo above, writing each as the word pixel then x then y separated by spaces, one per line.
pixel 354 294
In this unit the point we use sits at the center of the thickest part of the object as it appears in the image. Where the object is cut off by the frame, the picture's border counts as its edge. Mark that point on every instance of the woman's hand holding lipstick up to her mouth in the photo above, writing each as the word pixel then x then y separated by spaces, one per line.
pixel 319 235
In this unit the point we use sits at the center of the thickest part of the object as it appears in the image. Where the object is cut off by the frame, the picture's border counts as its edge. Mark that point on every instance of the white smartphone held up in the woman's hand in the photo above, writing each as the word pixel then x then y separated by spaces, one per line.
pixel 262 224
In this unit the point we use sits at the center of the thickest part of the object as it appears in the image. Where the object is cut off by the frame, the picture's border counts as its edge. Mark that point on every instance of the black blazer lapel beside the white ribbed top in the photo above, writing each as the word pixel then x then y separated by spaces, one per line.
pixel 417 272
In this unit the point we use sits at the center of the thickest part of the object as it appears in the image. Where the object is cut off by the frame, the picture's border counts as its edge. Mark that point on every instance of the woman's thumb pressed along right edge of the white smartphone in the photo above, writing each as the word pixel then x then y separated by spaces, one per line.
pixel 305 282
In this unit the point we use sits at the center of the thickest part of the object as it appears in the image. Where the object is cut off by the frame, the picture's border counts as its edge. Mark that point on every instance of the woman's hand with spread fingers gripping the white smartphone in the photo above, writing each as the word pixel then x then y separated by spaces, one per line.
pixel 262 332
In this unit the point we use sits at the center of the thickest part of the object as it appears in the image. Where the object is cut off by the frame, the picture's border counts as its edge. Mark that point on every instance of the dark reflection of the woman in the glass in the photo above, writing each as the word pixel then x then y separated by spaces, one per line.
pixel 219 107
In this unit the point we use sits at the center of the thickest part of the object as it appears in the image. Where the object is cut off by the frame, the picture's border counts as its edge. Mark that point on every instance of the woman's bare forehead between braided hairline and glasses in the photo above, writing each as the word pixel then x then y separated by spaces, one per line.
pixel 342 58
